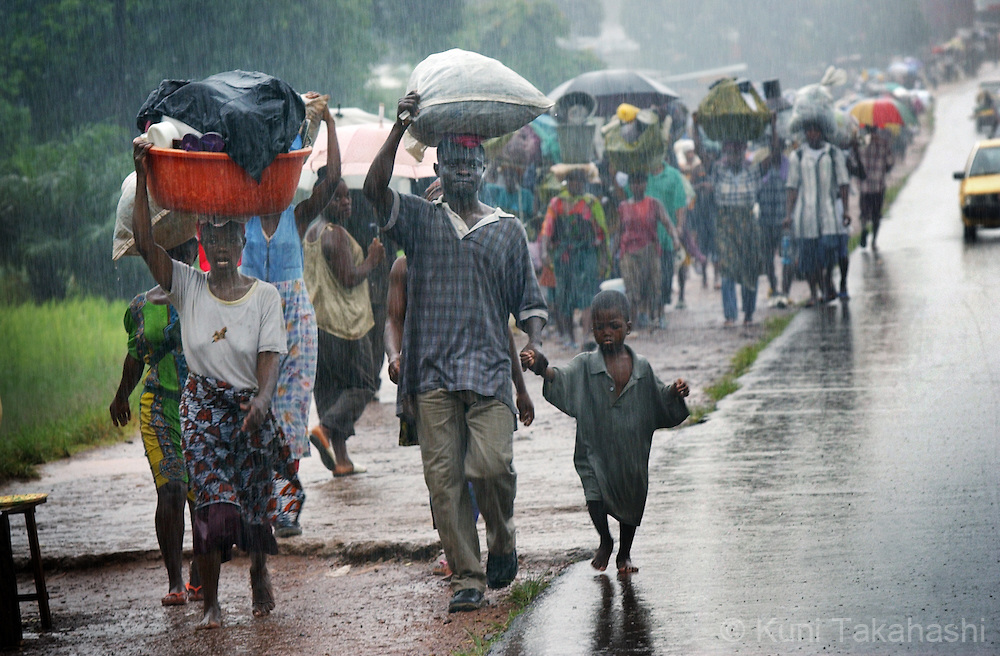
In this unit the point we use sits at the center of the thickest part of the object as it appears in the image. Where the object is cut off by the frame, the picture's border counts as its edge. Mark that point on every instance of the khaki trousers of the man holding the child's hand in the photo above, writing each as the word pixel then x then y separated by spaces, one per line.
pixel 468 437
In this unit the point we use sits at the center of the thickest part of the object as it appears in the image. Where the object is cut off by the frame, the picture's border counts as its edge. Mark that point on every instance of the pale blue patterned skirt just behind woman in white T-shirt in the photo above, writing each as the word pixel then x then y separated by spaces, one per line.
pixel 297 373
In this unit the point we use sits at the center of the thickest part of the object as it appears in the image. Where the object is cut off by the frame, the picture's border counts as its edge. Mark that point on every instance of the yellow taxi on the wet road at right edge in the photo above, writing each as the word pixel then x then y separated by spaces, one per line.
pixel 979 194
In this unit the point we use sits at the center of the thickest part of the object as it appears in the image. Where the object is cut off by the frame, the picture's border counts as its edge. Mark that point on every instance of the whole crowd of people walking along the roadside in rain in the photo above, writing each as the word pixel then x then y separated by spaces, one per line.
pixel 305 304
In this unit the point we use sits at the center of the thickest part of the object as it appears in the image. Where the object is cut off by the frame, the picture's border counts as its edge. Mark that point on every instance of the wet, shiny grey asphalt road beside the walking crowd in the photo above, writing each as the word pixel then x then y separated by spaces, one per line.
pixel 845 499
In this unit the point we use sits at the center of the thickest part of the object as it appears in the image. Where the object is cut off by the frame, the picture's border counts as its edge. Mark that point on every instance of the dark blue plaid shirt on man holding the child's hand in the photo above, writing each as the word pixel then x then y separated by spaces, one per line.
pixel 460 292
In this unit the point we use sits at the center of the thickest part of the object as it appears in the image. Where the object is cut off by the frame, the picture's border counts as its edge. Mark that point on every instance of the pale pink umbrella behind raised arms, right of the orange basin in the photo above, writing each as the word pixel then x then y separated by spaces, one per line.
pixel 358 146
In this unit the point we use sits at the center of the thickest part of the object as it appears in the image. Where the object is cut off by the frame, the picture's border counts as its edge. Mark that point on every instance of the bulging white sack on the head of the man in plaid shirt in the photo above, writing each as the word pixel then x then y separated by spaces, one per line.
pixel 463 92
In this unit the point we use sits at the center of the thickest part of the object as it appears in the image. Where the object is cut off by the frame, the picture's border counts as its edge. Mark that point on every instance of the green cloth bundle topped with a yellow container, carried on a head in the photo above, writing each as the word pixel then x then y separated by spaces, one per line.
pixel 634 140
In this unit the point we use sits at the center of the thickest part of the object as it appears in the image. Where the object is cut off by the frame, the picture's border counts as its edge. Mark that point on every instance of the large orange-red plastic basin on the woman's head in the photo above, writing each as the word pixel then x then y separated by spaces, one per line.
pixel 212 183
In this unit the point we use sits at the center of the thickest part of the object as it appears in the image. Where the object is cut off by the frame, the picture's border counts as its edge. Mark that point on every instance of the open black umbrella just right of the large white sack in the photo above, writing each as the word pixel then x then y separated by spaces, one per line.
pixel 612 87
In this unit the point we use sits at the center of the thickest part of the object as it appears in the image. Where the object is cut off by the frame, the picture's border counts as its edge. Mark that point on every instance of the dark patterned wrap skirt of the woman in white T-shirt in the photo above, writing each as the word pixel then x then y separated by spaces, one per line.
pixel 231 472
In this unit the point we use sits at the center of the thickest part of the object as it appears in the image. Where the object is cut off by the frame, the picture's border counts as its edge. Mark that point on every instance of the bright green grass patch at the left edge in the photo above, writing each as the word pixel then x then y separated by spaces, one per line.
pixel 59 368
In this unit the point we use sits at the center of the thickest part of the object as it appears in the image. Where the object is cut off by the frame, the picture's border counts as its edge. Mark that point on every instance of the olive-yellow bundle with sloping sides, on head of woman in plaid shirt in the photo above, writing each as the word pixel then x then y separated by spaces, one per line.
pixel 733 111
